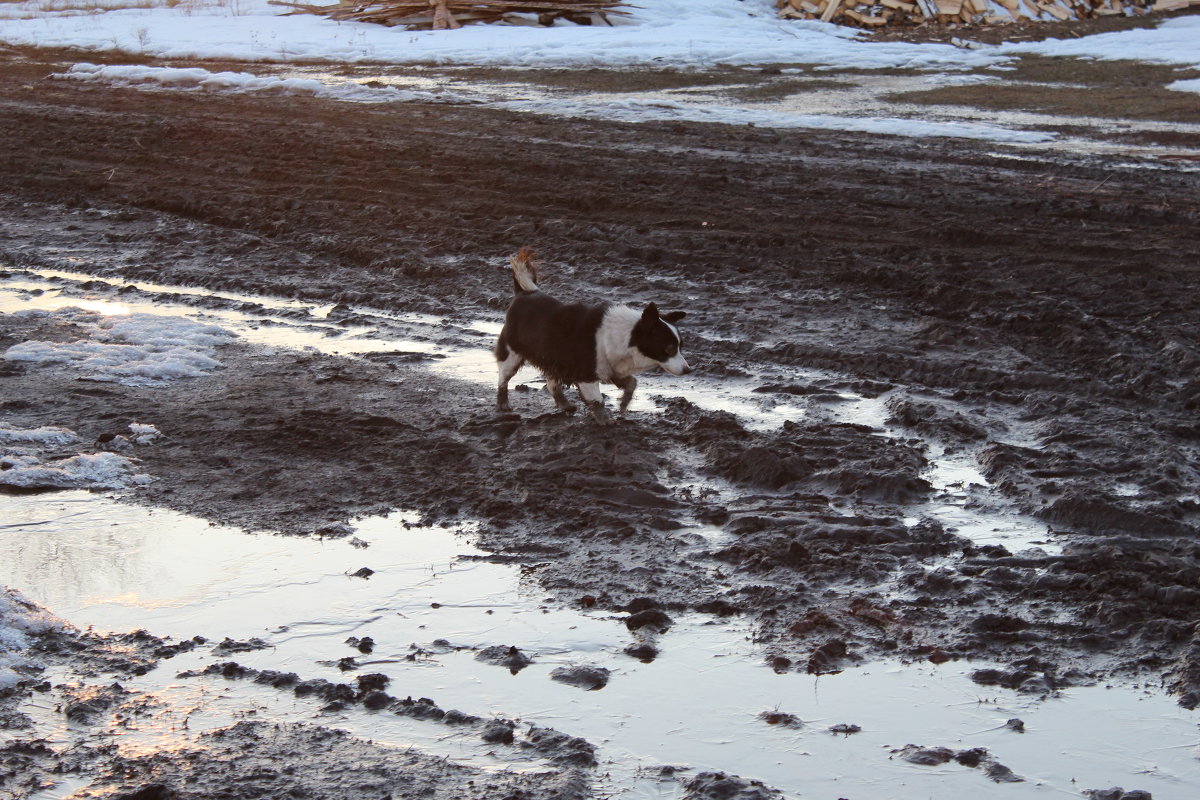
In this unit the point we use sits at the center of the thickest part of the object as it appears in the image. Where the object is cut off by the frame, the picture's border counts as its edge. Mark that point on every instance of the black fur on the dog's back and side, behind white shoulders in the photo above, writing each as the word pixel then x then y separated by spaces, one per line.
pixel 559 339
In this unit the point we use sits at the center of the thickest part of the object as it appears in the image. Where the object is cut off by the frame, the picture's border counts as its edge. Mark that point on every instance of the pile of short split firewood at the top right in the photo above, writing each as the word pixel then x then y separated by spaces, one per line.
pixel 879 14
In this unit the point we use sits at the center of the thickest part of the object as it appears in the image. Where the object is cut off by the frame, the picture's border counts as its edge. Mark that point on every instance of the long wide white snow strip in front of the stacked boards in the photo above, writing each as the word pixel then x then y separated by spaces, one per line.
pixel 662 33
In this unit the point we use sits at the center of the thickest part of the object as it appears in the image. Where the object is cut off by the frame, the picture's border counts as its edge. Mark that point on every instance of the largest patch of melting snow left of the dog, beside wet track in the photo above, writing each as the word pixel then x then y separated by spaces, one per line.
pixel 135 350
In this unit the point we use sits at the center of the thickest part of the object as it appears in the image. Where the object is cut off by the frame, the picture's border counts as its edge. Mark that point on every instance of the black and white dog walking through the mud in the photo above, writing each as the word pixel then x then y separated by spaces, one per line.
pixel 583 346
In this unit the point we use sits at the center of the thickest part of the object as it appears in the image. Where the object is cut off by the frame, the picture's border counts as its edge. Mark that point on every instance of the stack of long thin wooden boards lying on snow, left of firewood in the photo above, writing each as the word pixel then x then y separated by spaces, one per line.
pixel 446 15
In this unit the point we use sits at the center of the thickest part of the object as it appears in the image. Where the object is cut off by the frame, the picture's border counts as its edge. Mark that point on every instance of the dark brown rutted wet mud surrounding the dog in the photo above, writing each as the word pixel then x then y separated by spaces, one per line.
pixel 1037 314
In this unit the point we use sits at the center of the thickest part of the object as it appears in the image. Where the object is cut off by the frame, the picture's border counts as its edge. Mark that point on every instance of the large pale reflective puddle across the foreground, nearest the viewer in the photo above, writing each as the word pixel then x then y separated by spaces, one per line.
pixel 116 567
